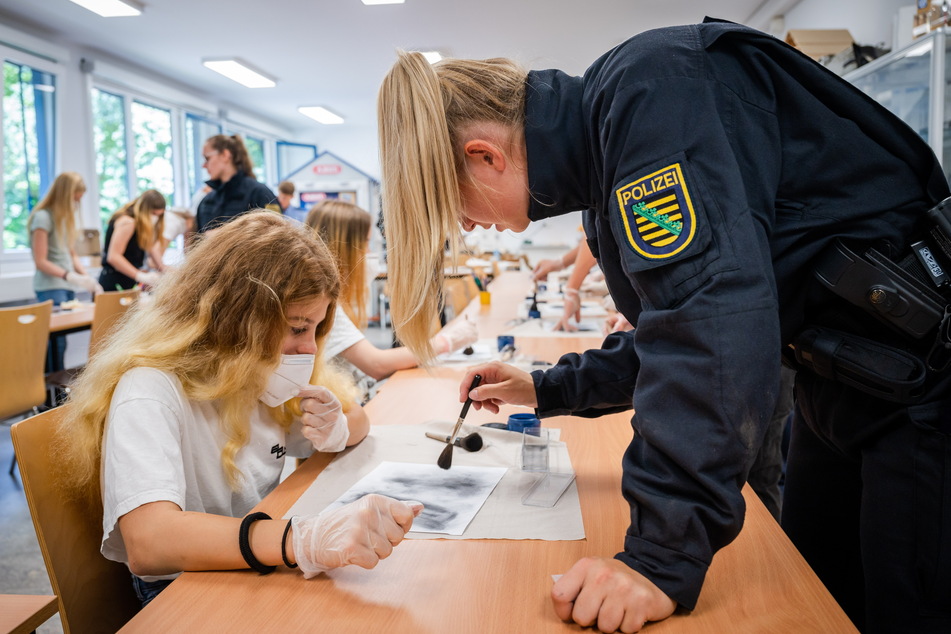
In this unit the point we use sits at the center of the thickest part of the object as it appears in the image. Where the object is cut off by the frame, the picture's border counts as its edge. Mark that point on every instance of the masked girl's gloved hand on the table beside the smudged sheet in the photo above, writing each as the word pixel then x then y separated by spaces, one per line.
pixel 361 533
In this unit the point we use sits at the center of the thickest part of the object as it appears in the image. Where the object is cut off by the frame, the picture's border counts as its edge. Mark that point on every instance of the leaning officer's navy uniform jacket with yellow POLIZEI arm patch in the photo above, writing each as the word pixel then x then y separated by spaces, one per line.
pixel 714 162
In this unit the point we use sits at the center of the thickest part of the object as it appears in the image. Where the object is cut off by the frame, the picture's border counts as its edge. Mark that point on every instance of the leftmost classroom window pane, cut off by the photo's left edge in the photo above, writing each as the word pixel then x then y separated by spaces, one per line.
pixel 29 99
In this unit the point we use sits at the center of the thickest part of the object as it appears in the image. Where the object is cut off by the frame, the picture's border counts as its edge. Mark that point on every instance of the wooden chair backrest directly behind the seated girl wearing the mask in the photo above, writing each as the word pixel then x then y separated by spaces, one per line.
pixel 95 594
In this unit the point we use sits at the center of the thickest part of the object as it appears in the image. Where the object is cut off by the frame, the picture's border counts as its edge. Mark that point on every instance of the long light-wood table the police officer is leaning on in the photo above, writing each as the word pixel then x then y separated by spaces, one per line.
pixel 759 583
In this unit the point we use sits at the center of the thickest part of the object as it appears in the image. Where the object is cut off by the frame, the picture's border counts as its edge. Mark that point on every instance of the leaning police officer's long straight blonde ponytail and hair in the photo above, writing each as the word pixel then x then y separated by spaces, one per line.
pixel 422 109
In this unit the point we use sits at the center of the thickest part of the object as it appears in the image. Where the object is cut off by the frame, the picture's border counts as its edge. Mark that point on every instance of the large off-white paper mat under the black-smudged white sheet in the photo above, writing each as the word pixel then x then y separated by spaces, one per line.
pixel 502 516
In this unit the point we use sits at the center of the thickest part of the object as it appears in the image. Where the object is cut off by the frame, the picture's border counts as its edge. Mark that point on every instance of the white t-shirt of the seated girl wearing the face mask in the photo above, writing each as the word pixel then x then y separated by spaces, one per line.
pixel 160 446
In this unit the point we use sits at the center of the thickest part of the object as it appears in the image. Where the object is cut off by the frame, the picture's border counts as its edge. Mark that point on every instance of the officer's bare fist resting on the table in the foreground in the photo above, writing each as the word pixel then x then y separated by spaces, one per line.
pixel 609 595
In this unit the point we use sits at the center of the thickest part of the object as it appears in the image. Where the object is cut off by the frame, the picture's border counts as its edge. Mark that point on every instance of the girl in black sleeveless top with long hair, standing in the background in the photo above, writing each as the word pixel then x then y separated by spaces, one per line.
pixel 134 234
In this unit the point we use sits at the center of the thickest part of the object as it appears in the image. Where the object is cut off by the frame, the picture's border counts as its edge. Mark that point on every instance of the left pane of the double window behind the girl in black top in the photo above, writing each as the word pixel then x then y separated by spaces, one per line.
pixel 109 132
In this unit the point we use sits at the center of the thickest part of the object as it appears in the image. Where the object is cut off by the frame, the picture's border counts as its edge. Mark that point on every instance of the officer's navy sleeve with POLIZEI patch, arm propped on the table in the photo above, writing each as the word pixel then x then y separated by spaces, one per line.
pixel 707 345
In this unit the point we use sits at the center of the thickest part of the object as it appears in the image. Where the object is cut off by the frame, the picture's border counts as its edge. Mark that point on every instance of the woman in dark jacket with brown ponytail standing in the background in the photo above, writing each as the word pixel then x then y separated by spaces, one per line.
pixel 235 189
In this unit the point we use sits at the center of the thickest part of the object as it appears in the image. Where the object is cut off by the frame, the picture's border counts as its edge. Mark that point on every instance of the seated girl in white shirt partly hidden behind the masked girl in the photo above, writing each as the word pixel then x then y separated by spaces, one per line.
pixel 345 228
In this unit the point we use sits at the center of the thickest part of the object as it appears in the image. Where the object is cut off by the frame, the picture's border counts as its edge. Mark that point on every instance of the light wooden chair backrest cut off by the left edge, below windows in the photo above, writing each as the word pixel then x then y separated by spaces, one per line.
pixel 24 336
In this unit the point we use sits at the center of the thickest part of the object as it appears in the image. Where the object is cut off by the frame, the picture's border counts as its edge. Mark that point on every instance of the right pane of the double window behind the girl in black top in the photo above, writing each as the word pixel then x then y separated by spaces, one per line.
pixel 152 131
